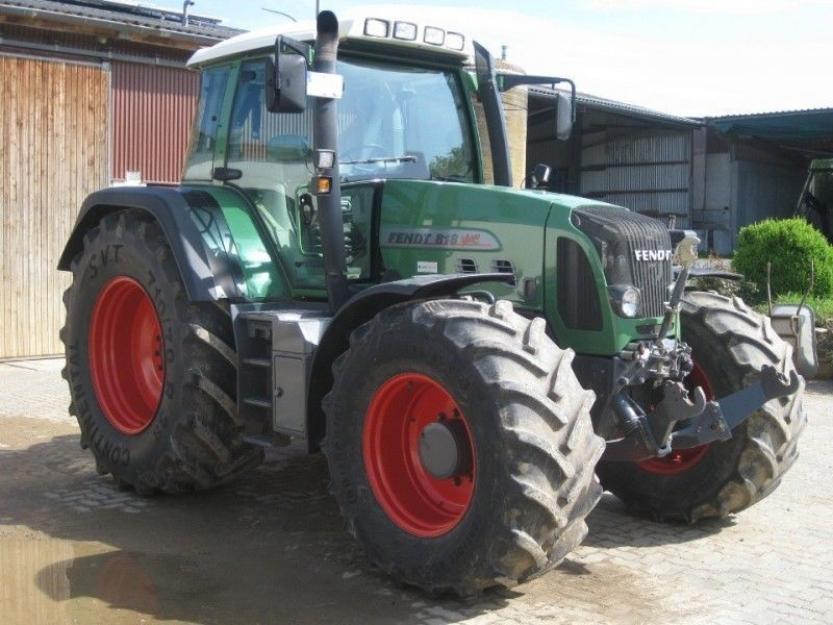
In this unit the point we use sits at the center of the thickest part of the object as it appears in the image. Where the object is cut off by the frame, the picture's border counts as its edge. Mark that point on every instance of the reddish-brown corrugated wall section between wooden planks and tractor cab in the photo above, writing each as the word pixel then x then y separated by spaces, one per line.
pixel 153 108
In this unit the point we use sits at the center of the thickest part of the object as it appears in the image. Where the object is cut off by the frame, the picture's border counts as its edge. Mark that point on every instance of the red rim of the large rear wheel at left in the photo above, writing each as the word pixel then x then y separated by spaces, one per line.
pixel 125 351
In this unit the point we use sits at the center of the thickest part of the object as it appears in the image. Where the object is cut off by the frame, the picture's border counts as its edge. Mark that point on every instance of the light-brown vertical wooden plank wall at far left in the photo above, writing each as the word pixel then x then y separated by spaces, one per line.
pixel 53 152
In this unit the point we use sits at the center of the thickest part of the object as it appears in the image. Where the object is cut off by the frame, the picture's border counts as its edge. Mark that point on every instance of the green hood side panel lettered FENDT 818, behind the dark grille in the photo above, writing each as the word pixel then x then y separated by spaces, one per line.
pixel 437 227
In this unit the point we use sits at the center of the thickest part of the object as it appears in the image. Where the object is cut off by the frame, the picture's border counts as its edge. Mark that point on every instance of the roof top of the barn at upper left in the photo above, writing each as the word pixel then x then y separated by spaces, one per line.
pixel 136 16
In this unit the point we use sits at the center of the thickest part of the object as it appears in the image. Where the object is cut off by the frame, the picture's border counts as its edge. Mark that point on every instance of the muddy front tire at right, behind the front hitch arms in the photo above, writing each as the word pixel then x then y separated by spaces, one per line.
pixel 730 343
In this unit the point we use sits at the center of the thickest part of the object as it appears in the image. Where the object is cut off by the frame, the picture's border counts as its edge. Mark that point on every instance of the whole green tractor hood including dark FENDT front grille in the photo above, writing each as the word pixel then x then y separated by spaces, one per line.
pixel 564 252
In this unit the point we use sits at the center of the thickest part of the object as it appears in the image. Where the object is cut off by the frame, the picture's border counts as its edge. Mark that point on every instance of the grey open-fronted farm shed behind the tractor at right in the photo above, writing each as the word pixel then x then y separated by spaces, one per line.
pixel 714 175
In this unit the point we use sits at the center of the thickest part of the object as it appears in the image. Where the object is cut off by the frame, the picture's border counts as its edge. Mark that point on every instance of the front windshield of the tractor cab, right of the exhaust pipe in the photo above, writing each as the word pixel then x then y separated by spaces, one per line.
pixel 402 123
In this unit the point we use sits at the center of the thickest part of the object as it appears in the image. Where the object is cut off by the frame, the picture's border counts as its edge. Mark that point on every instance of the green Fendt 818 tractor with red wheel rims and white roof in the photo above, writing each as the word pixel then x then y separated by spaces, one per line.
pixel 334 272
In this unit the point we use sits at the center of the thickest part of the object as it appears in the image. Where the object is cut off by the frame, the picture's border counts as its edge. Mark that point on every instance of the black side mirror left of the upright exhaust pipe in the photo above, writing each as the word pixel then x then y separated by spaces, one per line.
pixel 286 77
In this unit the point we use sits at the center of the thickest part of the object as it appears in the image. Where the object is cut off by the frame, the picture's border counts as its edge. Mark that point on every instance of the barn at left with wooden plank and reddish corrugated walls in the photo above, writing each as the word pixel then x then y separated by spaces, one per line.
pixel 91 91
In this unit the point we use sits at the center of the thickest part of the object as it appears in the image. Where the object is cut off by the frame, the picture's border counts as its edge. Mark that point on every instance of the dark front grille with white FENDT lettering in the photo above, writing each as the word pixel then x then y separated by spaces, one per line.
pixel 619 235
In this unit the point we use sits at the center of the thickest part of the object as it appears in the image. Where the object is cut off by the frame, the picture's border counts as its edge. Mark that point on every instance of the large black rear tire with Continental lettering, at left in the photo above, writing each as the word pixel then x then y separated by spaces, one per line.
pixel 192 439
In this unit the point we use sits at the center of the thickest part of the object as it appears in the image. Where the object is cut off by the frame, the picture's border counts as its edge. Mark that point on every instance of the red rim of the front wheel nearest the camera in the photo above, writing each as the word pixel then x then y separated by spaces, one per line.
pixel 416 501
